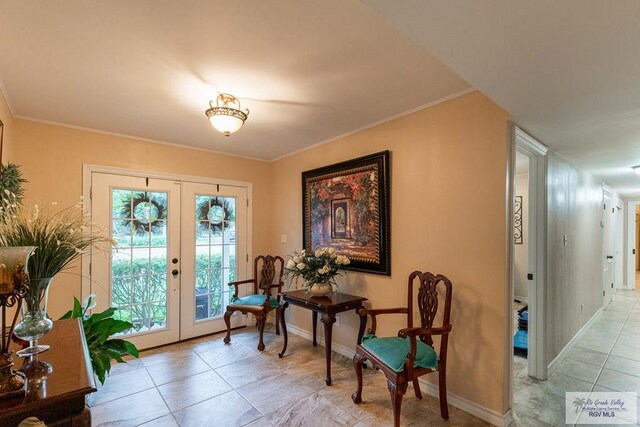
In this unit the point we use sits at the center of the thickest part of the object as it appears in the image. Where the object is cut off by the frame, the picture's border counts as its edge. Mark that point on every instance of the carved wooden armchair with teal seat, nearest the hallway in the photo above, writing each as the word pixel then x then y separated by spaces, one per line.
pixel 411 354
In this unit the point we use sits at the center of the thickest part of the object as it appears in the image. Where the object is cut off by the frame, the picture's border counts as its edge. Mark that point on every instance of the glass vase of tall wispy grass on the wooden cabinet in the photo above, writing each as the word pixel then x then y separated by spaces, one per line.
pixel 60 237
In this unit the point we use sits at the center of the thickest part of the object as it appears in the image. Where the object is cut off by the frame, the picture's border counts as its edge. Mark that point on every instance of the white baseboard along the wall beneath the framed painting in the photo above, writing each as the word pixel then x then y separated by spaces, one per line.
pixel 474 409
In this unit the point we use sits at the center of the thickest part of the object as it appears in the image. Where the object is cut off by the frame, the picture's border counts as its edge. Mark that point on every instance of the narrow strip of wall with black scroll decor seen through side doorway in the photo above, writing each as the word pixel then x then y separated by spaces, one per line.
pixel 521 252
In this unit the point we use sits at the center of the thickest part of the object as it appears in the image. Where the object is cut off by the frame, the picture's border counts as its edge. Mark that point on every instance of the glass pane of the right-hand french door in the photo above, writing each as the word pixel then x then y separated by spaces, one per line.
pixel 215 248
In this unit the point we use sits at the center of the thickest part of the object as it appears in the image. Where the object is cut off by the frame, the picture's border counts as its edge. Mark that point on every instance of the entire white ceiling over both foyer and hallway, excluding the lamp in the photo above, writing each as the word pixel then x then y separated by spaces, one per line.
pixel 311 71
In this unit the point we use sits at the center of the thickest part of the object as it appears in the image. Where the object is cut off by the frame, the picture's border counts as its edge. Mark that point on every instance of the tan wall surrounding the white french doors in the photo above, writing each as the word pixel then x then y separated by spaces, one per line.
pixel 52 157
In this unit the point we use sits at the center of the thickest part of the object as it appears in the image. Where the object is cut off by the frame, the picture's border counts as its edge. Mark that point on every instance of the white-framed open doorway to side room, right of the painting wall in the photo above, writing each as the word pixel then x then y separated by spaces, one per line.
pixel 526 305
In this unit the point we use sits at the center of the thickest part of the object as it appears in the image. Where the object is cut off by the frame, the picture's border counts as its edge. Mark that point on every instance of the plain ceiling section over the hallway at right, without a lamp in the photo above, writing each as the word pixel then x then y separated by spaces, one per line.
pixel 569 71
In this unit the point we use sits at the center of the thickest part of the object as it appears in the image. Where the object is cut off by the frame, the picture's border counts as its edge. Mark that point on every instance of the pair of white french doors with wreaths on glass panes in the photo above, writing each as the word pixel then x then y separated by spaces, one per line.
pixel 178 244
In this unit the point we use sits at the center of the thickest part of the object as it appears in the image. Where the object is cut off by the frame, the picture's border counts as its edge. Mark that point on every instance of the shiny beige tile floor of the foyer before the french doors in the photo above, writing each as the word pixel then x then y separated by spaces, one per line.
pixel 205 383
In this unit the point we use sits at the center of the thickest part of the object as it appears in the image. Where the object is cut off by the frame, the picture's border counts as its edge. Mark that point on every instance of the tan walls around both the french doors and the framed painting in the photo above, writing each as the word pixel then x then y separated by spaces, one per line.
pixel 448 167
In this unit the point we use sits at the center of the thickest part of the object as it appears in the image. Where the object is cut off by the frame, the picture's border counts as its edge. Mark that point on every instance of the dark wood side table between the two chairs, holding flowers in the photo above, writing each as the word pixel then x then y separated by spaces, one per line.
pixel 328 307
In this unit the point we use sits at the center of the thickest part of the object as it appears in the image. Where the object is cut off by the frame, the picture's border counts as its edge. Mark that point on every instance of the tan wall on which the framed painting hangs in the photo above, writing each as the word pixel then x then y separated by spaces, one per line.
pixel 447 215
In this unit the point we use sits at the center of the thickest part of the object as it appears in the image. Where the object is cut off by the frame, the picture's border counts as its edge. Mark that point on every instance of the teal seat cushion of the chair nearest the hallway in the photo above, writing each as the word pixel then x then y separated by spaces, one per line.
pixel 392 351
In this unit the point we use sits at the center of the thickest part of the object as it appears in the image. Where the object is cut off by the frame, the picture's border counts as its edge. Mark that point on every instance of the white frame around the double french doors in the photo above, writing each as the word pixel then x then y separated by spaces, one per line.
pixel 88 169
